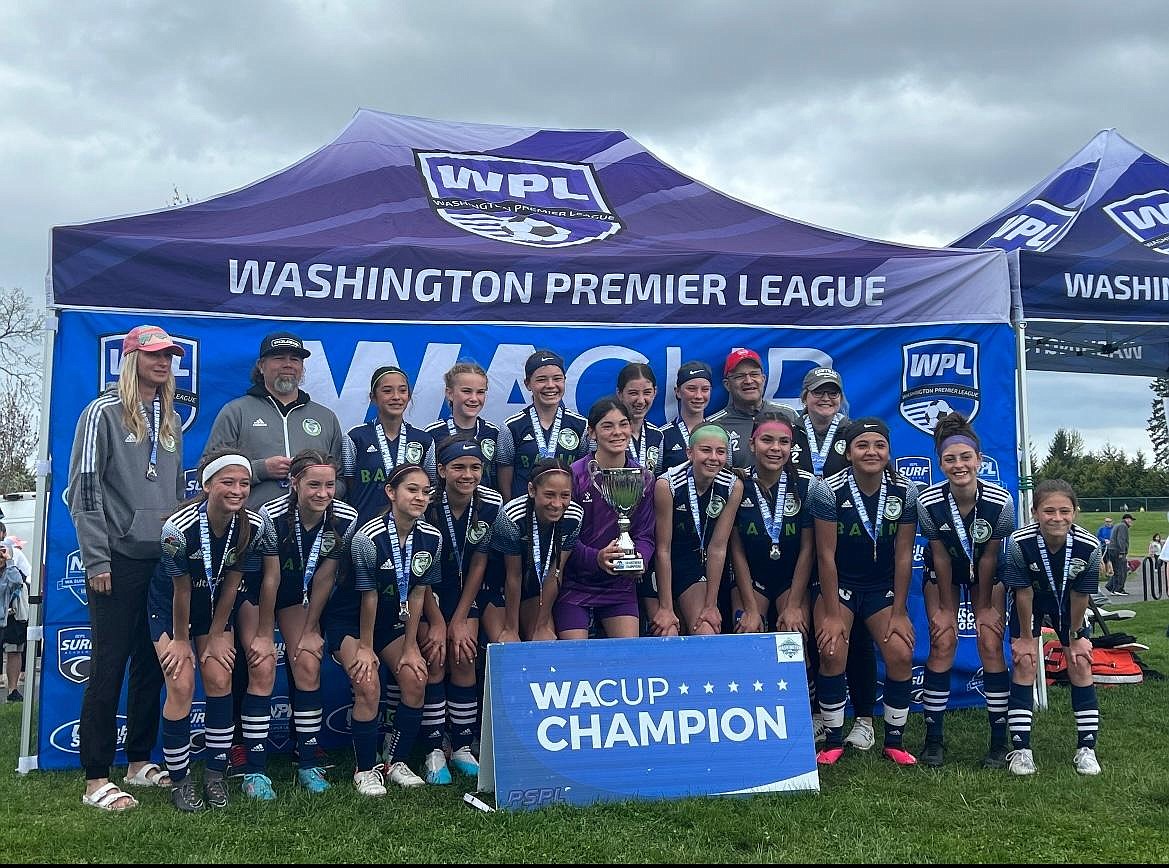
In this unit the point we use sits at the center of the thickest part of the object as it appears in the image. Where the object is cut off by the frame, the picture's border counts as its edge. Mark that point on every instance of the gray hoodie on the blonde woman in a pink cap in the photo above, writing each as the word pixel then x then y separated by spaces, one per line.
pixel 115 508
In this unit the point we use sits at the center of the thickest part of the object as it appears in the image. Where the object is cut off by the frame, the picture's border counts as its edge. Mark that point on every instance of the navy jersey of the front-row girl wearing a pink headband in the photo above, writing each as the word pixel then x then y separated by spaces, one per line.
pixel 757 541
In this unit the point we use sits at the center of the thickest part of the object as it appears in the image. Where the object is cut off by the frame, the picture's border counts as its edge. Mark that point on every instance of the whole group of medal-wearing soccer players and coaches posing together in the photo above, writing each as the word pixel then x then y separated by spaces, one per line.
pixel 402 552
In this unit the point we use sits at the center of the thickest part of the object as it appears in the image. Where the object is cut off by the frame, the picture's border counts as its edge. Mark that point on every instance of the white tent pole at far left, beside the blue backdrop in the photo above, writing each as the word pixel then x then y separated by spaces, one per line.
pixel 26 758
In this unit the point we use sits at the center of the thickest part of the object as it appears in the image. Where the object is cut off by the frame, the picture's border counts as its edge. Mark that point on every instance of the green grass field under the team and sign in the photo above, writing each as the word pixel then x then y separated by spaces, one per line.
pixel 868 811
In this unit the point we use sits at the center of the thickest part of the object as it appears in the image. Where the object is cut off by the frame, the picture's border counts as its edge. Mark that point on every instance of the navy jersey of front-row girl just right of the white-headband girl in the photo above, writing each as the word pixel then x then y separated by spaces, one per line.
pixel 301 553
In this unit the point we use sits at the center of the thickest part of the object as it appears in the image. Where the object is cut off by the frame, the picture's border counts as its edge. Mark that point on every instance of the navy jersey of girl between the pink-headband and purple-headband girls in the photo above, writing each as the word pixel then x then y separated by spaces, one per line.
pixel 857 565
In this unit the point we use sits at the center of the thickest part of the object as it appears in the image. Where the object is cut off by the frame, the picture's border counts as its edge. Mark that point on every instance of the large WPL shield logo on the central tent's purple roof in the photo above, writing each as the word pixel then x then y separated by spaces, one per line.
pixel 520 202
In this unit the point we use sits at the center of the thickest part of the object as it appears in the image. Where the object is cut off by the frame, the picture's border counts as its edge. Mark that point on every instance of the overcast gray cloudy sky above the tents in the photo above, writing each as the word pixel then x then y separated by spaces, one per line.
pixel 909 122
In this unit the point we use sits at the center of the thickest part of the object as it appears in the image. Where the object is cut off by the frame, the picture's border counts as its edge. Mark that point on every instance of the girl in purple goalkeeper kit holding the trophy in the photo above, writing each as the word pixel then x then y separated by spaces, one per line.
pixel 617 539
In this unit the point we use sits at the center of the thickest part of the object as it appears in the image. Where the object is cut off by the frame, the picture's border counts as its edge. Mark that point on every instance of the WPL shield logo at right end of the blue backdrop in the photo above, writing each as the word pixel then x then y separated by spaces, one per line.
pixel 939 377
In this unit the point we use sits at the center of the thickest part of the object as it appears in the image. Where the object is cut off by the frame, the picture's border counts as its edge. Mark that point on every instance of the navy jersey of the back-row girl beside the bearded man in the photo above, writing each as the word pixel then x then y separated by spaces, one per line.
pixel 366 466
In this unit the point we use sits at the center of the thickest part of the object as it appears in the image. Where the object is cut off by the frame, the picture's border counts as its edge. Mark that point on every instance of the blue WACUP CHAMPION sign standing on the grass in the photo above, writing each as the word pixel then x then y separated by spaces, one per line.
pixel 646 719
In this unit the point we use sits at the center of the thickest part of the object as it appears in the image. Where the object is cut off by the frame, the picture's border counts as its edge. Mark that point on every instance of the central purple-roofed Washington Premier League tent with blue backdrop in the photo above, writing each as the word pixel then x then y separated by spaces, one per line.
pixel 419 242
